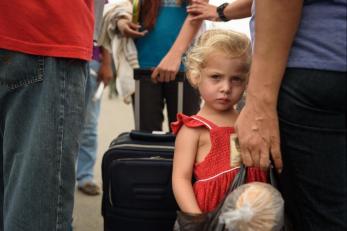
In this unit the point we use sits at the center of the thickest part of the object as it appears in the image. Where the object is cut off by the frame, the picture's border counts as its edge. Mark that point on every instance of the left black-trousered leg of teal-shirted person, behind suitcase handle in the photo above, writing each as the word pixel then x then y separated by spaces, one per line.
pixel 151 106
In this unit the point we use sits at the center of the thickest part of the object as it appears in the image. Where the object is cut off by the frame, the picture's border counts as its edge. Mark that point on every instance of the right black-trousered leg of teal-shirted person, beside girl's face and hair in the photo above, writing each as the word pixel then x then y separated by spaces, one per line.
pixel 191 100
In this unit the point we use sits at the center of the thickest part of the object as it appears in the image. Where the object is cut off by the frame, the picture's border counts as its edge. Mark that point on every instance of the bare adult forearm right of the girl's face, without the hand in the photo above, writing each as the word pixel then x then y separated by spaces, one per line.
pixel 275 28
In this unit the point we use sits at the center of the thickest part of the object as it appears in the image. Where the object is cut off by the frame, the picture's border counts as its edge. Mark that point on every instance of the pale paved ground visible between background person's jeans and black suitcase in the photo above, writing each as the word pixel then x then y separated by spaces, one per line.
pixel 115 117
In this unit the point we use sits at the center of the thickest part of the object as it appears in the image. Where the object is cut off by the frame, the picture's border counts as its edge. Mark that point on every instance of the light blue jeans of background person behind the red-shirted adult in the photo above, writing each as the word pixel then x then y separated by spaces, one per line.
pixel 88 149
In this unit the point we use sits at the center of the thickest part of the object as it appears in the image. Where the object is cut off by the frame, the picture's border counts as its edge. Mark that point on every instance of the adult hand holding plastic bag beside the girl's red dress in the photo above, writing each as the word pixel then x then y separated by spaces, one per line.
pixel 258 133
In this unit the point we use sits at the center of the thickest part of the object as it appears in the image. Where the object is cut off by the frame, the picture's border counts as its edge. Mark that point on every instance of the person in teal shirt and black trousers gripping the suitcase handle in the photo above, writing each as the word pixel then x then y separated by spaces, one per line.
pixel 161 43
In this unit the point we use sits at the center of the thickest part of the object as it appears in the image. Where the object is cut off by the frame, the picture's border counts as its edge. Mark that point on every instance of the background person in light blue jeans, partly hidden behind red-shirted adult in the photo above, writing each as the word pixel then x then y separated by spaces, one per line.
pixel 100 74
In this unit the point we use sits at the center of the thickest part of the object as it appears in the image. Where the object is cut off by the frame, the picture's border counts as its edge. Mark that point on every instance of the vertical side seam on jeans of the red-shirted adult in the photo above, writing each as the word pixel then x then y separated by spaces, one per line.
pixel 60 148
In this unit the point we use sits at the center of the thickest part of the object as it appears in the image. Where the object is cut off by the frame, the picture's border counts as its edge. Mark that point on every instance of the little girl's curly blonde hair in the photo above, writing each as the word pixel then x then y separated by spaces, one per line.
pixel 231 43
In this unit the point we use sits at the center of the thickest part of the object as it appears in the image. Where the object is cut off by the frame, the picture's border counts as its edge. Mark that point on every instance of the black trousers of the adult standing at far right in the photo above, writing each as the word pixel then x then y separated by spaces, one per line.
pixel 312 112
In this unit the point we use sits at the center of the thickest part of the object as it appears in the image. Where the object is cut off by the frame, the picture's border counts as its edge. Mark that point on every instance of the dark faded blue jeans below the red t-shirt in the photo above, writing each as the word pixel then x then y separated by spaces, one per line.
pixel 41 115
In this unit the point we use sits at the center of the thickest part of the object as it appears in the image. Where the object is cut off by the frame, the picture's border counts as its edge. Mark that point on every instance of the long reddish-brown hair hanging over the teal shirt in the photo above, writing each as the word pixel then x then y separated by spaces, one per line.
pixel 150 11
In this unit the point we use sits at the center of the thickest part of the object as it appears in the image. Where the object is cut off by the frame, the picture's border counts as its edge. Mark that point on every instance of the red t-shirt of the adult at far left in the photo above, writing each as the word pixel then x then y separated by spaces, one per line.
pixel 59 28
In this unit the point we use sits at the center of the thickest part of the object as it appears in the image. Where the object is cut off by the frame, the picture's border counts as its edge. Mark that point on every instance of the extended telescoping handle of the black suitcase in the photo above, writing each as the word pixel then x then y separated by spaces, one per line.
pixel 140 74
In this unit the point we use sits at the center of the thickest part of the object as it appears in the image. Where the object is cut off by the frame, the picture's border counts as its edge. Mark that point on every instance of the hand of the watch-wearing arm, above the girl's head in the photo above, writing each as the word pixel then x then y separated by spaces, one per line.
pixel 201 10
